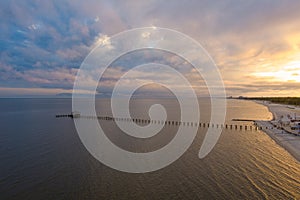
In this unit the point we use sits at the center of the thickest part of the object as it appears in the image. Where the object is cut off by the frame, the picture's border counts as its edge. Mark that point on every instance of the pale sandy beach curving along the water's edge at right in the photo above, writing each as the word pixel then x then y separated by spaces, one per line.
pixel 286 140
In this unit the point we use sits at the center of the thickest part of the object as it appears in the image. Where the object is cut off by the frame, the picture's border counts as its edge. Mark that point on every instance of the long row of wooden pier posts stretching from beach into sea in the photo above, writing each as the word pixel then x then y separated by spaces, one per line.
pixel 174 123
